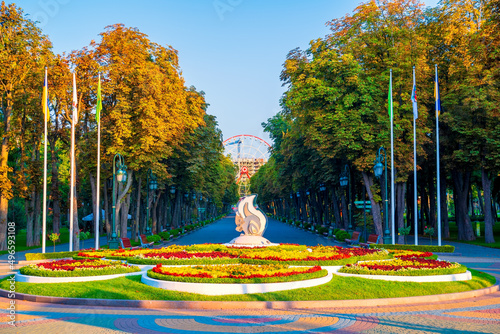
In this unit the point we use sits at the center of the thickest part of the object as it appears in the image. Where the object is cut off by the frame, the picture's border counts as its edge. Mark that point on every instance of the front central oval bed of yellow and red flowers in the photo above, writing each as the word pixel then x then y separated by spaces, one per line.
pixel 236 273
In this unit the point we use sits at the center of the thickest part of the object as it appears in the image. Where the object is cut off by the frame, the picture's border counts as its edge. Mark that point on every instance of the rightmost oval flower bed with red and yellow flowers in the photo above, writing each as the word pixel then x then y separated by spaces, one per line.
pixel 404 267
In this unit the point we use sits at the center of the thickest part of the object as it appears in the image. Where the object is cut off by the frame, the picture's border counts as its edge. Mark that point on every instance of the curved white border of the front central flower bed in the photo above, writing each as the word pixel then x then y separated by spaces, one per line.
pixel 216 289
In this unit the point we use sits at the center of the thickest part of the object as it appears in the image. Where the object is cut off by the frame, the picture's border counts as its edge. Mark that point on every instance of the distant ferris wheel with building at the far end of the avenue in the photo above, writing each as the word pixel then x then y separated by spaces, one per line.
pixel 248 153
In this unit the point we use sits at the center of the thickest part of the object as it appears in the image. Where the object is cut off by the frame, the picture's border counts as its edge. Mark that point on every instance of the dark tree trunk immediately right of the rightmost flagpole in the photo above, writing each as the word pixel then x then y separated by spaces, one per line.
pixel 461 182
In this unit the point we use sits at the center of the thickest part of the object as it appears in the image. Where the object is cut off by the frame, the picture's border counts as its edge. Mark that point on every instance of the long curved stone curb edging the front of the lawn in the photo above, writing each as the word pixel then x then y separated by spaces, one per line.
pixel 254 305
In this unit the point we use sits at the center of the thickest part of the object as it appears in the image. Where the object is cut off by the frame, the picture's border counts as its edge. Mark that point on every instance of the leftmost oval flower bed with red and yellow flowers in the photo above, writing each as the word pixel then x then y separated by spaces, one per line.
pixel 75 268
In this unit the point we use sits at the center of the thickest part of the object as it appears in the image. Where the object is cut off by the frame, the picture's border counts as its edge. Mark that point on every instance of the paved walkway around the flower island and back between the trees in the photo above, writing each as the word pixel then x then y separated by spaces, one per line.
pixel 470 315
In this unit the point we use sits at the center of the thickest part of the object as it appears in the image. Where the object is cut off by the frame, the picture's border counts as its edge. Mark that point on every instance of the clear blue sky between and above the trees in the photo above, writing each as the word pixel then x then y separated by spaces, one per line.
pixel 233 50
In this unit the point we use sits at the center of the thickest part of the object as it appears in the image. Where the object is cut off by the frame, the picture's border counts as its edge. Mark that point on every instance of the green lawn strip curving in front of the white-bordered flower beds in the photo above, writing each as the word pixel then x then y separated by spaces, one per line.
pixel 339 288
